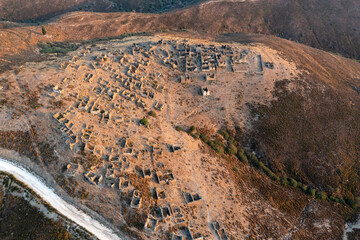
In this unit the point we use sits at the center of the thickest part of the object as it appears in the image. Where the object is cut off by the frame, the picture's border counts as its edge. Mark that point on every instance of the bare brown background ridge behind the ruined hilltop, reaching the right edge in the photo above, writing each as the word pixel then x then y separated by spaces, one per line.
pixel 329 25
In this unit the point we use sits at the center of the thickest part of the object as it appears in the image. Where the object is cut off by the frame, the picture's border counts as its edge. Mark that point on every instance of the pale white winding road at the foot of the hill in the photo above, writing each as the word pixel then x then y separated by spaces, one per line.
pixel 66 209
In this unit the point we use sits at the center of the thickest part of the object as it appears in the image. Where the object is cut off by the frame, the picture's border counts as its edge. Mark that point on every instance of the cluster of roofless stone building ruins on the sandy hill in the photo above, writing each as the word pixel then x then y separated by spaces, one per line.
pixel 110 92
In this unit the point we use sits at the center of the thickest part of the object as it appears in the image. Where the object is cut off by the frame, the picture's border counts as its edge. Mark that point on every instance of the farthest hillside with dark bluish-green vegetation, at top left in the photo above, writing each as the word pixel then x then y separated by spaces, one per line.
pixel 38 10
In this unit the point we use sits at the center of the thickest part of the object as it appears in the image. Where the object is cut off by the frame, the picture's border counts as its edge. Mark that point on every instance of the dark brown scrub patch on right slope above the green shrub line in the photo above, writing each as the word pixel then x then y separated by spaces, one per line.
pixel 312 131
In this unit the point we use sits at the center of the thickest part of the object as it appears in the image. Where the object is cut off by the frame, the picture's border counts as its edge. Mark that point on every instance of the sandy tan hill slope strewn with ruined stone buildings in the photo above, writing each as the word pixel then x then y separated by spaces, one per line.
pixel 109 121
